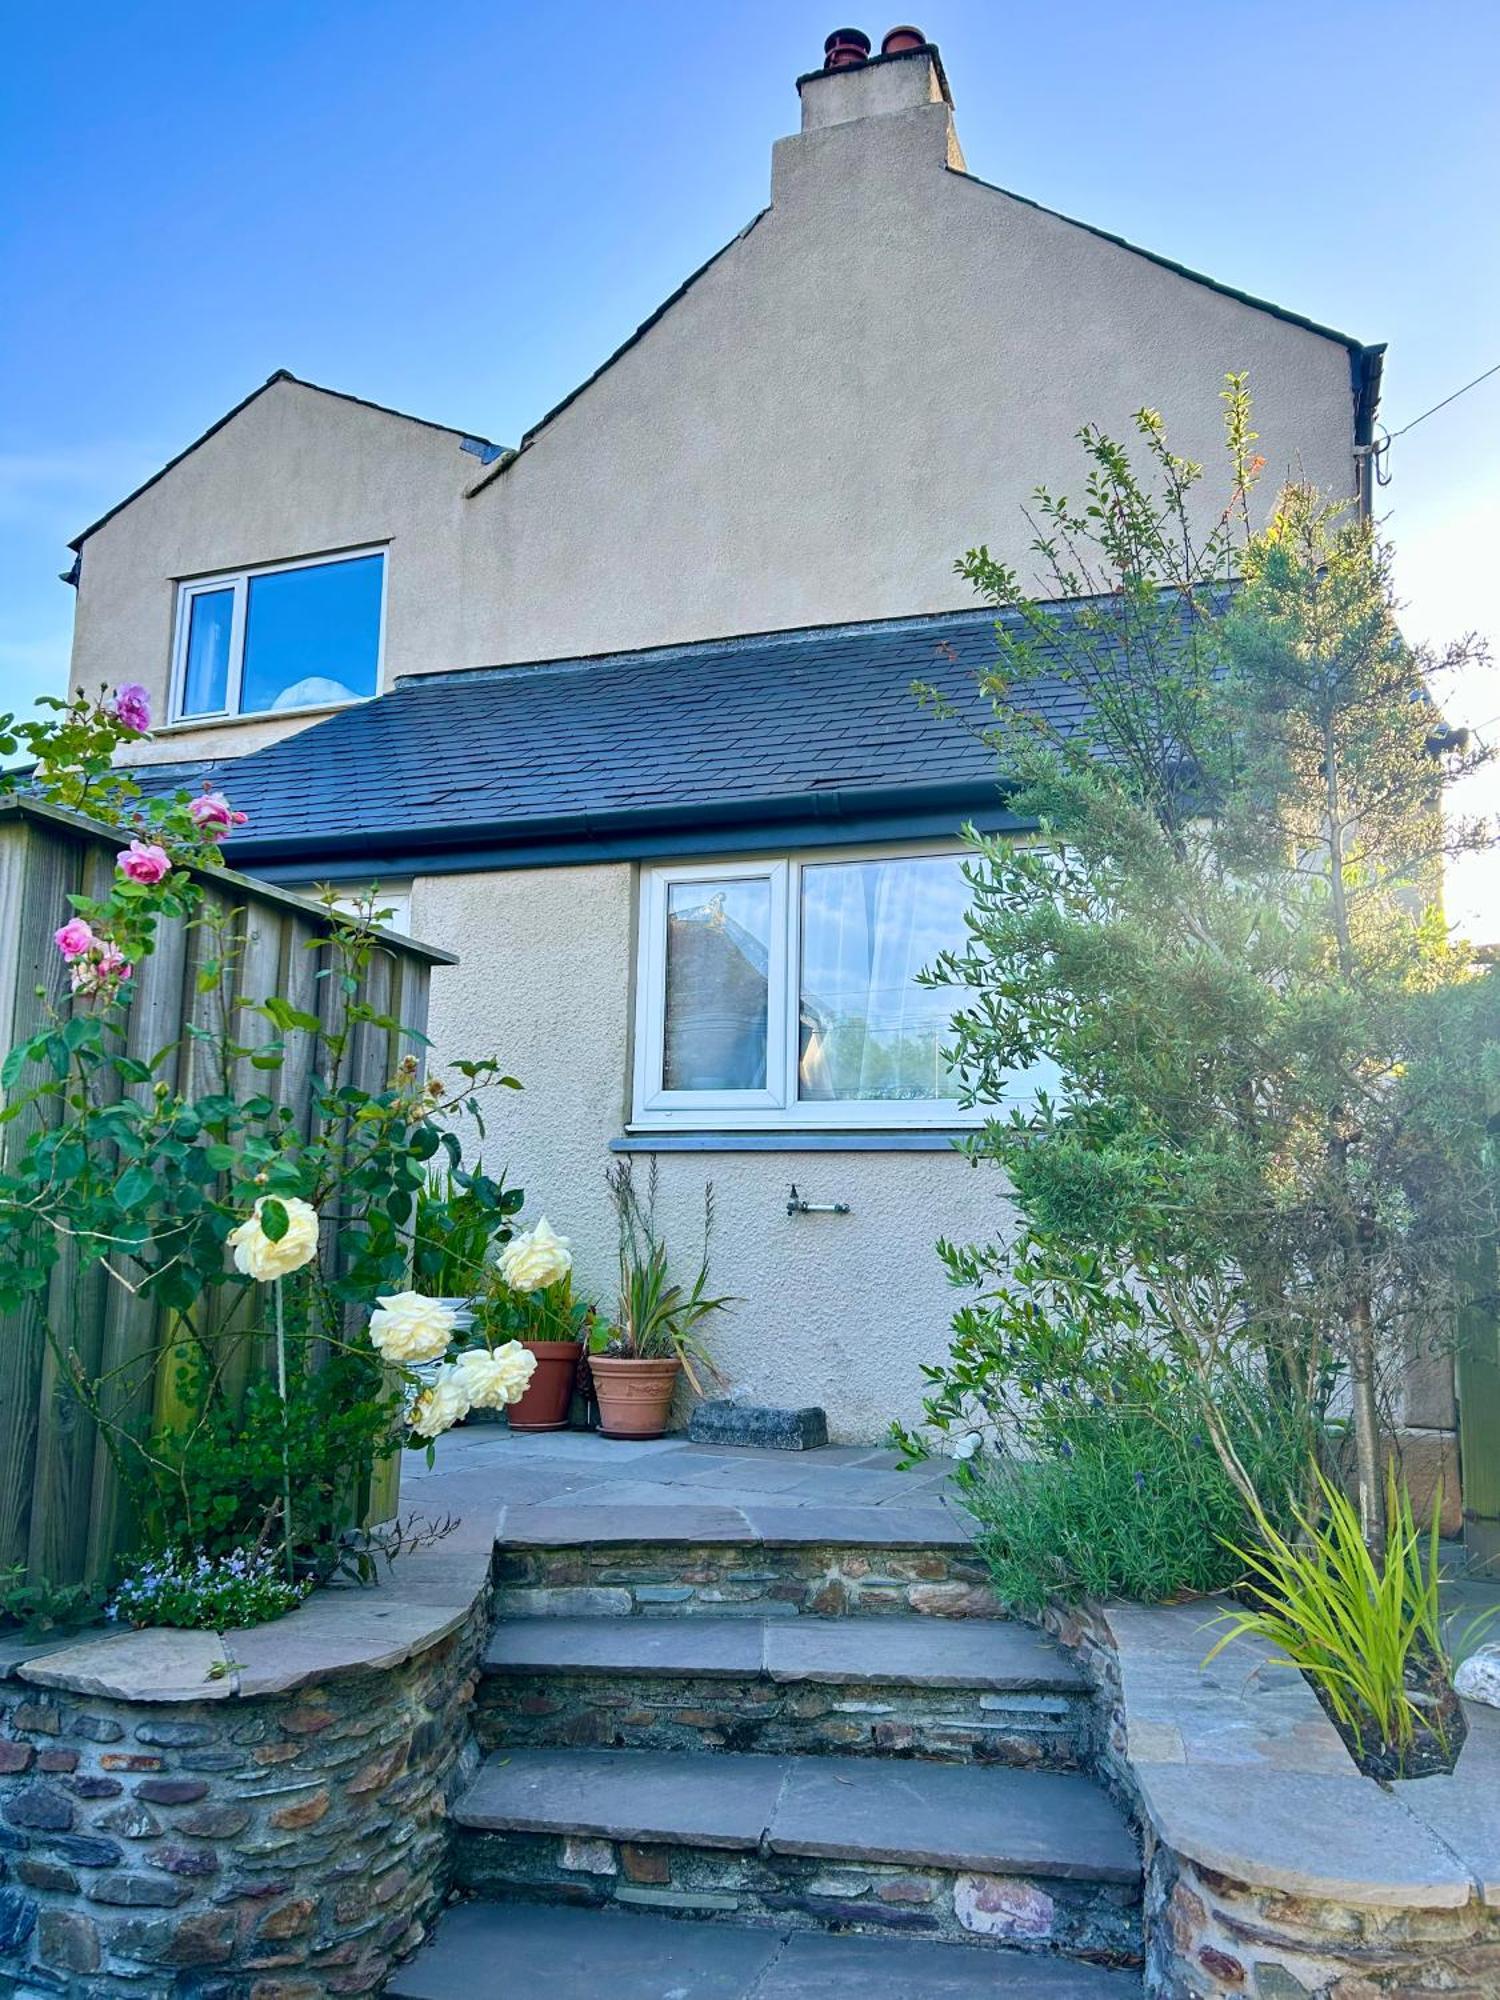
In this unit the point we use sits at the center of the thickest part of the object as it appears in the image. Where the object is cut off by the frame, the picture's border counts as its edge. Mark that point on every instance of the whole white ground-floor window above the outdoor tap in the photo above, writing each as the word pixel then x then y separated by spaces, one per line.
pixel 783 993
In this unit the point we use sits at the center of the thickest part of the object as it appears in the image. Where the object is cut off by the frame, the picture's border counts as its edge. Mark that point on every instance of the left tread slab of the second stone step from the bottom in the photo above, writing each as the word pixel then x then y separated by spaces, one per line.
pixel 627 1795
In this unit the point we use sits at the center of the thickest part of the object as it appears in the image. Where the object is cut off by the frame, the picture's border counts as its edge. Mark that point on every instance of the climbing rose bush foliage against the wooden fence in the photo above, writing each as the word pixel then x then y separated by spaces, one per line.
pixel 137 1171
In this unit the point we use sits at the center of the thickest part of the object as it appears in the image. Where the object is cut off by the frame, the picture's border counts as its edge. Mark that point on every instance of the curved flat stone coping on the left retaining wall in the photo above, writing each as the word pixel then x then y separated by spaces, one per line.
pixel 341 1631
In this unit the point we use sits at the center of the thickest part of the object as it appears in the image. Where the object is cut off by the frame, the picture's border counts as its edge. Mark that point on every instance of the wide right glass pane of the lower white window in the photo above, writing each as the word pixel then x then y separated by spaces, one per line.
pixel 867 1029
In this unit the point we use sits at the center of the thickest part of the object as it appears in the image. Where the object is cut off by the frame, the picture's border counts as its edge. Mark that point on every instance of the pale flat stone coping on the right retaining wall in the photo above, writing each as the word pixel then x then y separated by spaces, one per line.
pixel 1239 1771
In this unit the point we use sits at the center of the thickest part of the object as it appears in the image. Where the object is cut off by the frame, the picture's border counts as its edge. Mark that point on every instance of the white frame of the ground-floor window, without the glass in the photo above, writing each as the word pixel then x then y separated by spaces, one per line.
pixel 779 1109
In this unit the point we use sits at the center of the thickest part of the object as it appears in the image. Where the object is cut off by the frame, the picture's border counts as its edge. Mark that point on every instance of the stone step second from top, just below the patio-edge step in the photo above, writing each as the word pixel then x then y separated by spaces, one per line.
pixel 973 1691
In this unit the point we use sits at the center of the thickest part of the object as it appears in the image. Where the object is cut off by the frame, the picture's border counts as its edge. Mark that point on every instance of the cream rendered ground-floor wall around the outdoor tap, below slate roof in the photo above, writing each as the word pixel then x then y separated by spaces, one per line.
pixel 839 1311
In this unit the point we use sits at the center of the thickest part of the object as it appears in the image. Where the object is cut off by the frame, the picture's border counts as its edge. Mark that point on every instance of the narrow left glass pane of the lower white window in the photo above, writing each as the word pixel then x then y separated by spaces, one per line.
pixel 717 969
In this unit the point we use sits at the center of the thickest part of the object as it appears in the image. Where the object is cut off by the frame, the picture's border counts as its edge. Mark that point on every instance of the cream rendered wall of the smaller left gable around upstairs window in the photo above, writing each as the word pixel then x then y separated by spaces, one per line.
pixel 297 473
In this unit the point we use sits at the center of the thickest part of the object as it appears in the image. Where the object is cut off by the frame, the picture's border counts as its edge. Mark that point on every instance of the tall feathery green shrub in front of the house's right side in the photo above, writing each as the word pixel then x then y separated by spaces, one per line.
pixel 1269 1117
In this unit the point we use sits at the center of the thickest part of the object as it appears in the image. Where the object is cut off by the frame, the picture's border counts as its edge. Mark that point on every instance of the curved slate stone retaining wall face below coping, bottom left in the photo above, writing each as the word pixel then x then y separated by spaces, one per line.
pixel 265 1849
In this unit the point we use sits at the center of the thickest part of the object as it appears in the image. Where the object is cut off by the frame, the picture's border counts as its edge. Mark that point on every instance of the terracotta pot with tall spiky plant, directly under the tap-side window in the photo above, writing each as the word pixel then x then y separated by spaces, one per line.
pixel 655 1343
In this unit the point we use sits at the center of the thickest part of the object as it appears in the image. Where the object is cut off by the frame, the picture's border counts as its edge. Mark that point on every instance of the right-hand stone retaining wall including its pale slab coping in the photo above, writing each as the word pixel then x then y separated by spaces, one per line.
pixel 1273 1869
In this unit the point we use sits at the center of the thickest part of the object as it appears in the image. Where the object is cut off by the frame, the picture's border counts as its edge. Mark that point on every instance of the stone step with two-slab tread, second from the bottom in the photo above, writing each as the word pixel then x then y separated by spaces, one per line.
pixel 811 1843
